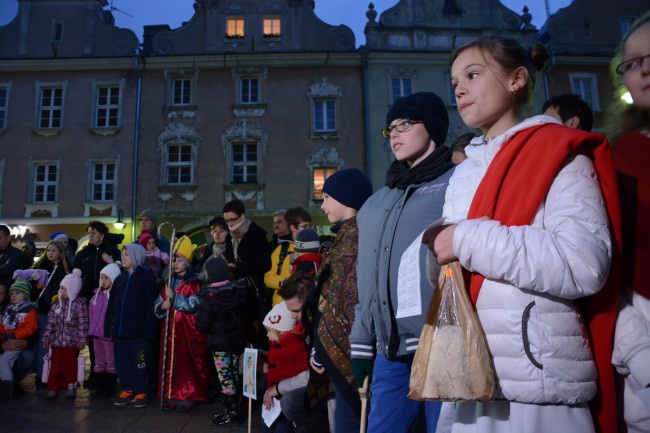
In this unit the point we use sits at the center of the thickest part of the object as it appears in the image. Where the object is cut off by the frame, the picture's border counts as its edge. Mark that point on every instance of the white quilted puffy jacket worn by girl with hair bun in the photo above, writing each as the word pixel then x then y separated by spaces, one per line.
pixel 532 274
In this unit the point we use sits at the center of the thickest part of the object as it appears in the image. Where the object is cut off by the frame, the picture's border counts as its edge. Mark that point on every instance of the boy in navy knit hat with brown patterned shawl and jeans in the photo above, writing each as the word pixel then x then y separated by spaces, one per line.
pixel 344 192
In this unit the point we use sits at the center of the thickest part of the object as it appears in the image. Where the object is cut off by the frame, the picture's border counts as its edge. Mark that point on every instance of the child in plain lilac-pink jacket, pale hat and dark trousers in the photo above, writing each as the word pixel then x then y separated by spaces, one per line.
pixel 104 359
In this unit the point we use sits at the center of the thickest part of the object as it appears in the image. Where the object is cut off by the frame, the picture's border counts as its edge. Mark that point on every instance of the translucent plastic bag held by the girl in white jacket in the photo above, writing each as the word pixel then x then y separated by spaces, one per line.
pixel 452 362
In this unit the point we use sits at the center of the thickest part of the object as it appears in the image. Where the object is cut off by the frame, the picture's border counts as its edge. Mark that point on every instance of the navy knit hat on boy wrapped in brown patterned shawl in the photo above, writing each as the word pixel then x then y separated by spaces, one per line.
pixel 349 186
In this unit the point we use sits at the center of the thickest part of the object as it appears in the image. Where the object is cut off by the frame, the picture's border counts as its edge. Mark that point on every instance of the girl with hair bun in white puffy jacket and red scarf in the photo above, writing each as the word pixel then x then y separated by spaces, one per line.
pixel 530 210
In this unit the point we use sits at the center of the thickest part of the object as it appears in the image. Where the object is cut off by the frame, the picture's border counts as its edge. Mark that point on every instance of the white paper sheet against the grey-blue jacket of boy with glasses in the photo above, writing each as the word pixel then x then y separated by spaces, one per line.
pixel 409 301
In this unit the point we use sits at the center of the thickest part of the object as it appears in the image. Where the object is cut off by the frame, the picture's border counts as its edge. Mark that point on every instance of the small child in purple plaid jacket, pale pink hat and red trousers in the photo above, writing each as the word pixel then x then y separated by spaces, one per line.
pixel 66 333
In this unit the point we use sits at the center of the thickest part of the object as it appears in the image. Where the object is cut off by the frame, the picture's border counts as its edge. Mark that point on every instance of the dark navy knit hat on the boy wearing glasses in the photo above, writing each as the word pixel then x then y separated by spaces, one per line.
pixel 424 106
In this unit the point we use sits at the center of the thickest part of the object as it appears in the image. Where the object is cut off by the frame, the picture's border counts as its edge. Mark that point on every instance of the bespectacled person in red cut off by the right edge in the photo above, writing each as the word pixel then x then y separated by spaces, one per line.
pixel 630 124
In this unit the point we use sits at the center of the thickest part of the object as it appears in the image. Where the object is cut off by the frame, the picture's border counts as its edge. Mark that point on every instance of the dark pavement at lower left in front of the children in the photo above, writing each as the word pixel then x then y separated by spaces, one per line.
pixel 31 413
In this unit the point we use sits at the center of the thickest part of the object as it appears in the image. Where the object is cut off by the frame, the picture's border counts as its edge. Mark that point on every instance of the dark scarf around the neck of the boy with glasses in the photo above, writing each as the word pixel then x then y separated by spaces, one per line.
pixel 401 175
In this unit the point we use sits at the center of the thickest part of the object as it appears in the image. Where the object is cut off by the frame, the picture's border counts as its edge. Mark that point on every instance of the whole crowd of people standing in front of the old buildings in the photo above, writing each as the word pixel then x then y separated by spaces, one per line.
pixel 333 318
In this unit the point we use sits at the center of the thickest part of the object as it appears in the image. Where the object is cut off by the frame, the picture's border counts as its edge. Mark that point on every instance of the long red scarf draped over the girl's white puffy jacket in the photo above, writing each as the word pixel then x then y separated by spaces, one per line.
pixel 515 184
